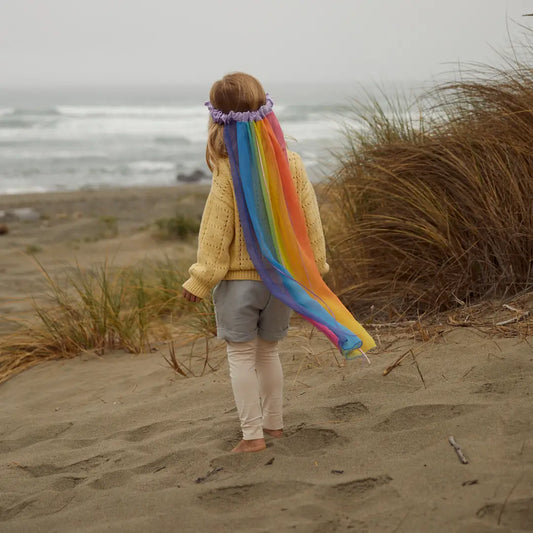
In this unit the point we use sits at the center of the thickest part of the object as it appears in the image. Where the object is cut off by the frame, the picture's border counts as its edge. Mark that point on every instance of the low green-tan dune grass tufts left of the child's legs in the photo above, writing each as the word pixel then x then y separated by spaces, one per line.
pixel 101 309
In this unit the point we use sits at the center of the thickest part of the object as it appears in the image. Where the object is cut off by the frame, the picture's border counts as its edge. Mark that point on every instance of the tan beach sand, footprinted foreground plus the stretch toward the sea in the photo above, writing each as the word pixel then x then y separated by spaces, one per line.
pixel 121 443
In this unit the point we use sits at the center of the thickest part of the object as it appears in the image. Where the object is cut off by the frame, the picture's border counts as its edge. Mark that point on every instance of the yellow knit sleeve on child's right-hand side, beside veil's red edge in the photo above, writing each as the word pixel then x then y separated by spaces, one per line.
pixel 307 196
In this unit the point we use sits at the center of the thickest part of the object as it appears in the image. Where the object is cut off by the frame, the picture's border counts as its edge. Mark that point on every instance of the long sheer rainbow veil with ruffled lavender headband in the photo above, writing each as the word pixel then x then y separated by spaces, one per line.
pixel 274 226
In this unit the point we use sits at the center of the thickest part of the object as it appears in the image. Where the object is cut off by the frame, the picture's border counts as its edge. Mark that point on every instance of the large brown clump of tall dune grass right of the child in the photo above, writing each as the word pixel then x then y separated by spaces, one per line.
pixel 429 212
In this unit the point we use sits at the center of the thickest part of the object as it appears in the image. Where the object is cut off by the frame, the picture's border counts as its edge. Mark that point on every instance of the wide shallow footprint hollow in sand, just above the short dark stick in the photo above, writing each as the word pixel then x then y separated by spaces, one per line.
pixel 416 416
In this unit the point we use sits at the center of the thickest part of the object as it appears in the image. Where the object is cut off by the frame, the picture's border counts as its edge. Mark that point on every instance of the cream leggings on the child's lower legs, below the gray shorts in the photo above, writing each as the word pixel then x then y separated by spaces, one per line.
pixel 257 382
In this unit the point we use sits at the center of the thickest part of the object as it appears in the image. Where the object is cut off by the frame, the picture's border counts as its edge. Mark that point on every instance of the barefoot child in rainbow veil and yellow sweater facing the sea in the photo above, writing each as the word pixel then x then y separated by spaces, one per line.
pixel 260 235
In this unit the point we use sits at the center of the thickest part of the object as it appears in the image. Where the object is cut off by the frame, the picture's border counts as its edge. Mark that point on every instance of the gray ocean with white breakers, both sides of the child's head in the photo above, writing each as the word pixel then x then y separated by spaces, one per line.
pixel 84 138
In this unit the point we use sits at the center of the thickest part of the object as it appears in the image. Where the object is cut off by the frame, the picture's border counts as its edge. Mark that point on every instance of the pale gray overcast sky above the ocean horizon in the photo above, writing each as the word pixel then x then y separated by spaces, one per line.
pixel 115 42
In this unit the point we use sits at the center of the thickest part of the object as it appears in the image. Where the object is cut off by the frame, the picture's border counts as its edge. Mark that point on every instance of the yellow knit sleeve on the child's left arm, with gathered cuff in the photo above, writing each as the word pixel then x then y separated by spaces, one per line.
pixel 217 231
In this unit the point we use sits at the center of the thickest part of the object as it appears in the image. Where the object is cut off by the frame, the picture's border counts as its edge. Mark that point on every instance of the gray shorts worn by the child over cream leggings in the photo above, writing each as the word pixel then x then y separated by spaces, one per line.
pixel 245 309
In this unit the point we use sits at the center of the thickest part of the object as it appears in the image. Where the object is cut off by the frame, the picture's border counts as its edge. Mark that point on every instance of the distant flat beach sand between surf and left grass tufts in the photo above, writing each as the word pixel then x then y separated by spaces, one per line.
pixel 86 227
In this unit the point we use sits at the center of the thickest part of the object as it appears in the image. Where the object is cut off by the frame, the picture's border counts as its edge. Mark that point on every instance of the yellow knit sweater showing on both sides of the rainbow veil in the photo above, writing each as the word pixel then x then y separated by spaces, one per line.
pixel 222 250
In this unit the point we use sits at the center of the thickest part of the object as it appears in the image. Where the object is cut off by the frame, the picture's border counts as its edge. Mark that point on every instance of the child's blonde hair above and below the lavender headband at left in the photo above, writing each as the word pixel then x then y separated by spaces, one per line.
pixel 236 91
